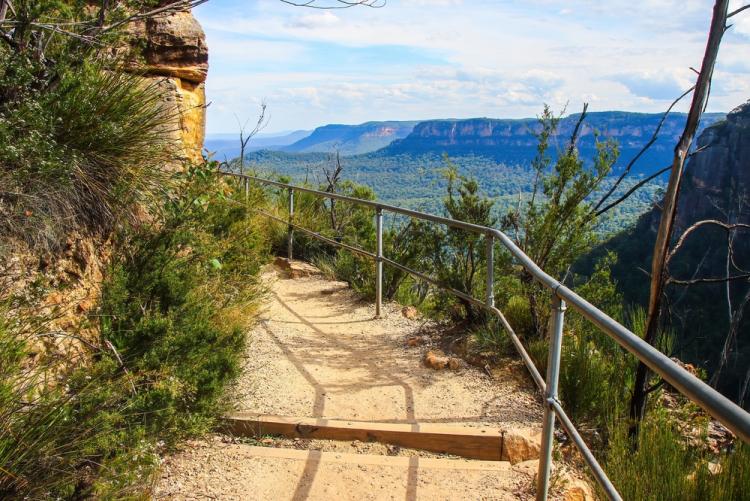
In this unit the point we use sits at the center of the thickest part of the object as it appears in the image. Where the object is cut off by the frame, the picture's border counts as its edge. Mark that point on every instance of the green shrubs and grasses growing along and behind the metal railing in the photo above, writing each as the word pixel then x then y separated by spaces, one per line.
pixel 554 226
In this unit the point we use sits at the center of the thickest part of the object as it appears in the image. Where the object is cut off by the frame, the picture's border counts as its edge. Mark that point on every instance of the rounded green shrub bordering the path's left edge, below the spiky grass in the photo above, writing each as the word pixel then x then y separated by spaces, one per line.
pixel 175 302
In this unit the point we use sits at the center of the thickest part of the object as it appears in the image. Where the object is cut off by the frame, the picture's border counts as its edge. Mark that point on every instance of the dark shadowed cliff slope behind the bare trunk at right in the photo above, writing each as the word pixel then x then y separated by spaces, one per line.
pixel 716 185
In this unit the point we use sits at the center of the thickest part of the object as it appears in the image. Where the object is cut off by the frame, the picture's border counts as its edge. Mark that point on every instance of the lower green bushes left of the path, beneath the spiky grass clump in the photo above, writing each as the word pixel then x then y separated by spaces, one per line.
pixel 172 322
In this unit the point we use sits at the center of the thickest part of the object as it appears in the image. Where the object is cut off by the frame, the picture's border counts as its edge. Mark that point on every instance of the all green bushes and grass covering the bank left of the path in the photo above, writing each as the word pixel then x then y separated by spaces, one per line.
pixel 86 152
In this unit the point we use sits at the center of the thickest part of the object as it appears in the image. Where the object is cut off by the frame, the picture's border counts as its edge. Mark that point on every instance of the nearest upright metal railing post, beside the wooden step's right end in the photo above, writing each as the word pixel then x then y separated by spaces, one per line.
pixel 553 374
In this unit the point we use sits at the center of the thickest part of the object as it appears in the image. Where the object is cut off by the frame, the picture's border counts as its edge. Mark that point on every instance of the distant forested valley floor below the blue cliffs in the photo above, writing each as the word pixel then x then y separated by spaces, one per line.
pixel 417 182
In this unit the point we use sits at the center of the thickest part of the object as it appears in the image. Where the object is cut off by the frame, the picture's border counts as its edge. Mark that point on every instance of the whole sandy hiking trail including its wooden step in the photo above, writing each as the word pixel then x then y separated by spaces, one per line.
pixel 336 404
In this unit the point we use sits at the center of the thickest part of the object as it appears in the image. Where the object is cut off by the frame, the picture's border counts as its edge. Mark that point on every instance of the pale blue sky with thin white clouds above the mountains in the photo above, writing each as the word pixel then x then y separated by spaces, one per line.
pixel 428 59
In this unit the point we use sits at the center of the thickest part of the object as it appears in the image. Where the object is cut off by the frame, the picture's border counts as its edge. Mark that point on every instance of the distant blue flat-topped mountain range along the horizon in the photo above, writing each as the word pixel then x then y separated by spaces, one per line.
pixel 507 141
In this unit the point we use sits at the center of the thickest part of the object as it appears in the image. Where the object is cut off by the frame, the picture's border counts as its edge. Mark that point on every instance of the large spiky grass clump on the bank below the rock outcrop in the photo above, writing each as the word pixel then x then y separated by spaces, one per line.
pixel 82 155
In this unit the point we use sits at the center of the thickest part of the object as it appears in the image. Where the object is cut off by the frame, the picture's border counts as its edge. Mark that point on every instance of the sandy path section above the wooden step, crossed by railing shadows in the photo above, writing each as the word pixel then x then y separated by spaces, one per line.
pixel 318 352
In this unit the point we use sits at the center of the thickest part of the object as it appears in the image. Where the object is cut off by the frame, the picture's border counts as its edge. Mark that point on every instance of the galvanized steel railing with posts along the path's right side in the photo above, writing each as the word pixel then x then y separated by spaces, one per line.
pixel 724 410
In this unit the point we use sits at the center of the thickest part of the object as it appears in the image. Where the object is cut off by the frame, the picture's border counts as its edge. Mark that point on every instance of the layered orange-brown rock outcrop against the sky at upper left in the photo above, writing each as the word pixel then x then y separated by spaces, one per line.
pixel 171 49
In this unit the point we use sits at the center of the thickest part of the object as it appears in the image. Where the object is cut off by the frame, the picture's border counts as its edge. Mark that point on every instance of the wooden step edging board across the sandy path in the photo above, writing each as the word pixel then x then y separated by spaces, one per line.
pixel 484 443
